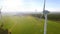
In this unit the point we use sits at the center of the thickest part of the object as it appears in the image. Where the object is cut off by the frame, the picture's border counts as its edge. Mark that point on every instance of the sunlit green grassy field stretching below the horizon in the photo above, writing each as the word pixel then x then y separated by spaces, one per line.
pixel 29 25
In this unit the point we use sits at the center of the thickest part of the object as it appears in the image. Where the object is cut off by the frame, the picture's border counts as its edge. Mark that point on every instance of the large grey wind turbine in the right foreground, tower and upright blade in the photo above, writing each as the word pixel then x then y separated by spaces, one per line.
pixel 45 13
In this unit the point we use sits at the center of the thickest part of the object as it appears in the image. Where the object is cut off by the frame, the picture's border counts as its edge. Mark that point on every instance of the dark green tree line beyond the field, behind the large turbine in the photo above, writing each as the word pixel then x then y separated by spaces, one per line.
pixel 55 17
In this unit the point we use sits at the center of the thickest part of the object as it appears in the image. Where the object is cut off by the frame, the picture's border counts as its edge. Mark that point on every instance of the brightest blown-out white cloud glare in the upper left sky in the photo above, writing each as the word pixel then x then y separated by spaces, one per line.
pixel 11 5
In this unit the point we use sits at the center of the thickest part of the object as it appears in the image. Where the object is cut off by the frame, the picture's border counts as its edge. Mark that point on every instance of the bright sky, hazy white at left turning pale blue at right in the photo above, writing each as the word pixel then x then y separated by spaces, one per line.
pixel 29 5
